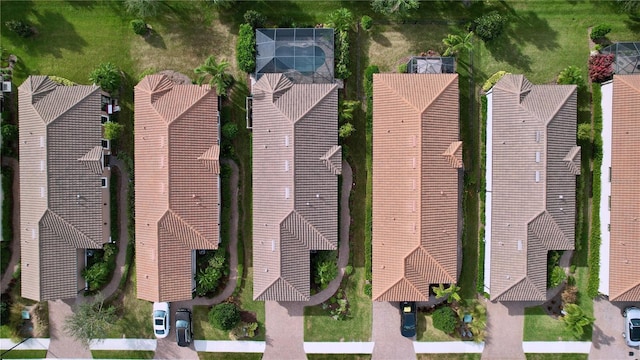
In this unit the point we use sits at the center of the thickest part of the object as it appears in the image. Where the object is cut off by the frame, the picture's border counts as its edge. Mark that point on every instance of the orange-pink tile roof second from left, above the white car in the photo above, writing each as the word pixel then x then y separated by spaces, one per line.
pixel 177 184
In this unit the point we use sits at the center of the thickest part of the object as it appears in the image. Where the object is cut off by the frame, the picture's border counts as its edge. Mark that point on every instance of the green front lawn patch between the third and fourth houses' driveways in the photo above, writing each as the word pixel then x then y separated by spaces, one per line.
pixel 319 326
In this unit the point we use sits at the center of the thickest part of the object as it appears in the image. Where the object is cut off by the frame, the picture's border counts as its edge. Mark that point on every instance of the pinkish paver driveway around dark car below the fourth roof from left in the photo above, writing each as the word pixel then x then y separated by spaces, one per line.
pixel 389 343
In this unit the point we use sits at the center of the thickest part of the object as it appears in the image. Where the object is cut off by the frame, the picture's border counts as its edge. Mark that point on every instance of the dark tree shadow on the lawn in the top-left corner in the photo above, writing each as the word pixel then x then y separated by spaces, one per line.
pixel 57 34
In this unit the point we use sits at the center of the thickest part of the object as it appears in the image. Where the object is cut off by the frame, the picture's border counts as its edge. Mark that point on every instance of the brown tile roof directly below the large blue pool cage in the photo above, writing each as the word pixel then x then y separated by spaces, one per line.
pixel 296 158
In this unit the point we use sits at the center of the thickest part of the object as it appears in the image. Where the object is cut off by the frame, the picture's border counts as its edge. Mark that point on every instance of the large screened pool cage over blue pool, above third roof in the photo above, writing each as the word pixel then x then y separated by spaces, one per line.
pixel 304 55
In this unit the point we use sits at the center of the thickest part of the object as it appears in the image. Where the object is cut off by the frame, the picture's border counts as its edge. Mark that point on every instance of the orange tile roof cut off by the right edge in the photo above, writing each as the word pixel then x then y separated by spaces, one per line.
pixel 624 271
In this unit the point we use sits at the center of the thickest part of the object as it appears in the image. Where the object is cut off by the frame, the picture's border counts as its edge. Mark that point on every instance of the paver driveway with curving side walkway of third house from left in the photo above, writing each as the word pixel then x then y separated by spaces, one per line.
pixel 285 320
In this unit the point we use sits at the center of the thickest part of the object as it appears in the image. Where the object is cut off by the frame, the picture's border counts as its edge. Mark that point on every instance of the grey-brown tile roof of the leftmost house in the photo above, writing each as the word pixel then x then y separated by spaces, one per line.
pixel 61 207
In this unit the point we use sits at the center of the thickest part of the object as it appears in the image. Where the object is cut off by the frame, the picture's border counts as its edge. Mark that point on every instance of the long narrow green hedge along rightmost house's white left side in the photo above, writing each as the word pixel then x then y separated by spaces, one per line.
pixel 594 245
